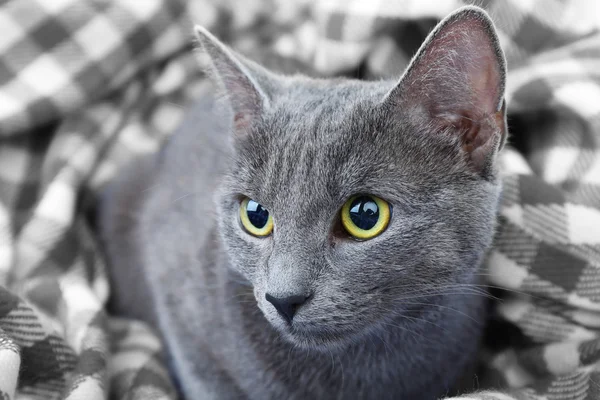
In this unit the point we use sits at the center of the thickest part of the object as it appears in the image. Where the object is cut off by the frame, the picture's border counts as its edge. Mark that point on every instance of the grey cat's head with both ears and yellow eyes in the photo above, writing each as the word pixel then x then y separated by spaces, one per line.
pixel 348 203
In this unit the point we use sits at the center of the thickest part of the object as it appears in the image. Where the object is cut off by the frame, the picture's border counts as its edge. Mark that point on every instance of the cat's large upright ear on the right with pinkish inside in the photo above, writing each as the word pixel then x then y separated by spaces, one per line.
pixel 455 84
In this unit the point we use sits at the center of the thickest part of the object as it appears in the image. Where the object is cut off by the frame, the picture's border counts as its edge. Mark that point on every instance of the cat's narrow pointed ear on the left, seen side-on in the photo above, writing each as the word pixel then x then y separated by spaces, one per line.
pixel 236 79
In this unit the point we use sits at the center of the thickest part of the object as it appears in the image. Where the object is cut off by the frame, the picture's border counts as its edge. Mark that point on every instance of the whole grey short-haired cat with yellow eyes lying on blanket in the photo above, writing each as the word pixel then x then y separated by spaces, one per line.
pixel 303 238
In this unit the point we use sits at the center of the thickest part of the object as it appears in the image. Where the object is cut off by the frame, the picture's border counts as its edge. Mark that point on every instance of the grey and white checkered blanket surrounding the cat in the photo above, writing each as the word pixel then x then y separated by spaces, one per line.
pixel 87 85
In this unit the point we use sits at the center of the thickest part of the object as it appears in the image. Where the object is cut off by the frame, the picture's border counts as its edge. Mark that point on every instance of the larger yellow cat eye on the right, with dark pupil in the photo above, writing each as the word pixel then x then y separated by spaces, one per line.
pixel 365 216
